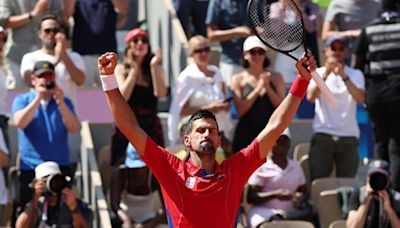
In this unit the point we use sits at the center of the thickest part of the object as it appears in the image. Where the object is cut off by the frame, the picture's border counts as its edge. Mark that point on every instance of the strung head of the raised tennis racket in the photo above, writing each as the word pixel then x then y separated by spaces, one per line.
pixel 278 23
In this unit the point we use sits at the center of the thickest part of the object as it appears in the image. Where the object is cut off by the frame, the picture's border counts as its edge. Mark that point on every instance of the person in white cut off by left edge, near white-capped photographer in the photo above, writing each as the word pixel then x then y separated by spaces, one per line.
pixel 3 187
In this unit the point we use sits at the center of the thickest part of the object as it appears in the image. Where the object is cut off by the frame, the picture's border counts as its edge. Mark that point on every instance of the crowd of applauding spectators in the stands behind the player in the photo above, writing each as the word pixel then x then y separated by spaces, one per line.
pixel 42 50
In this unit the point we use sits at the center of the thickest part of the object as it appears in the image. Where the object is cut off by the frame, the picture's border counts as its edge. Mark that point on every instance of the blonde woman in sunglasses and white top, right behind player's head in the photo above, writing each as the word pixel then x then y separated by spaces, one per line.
pixel 199 86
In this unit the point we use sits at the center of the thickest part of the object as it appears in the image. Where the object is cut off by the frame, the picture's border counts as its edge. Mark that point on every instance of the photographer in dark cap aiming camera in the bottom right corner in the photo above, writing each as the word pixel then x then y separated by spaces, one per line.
pixel 376 204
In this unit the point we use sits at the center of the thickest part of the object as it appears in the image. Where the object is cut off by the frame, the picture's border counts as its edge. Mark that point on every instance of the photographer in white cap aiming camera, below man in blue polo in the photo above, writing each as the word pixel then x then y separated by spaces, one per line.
pixel 52 204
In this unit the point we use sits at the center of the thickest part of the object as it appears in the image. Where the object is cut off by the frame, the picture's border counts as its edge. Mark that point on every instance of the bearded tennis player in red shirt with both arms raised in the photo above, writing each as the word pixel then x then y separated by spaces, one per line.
pixel 201 192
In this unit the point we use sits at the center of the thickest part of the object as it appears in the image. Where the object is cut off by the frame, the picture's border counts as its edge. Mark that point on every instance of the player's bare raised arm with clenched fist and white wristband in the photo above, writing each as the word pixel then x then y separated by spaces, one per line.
pixel 123 115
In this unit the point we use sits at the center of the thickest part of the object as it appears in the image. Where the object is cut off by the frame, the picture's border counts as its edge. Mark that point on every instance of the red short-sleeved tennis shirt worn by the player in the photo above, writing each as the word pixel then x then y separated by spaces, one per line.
pixel 194 201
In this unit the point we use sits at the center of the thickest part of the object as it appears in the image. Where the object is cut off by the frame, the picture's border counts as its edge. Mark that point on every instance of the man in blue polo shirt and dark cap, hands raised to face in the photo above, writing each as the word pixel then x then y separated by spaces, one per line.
pixel 43 118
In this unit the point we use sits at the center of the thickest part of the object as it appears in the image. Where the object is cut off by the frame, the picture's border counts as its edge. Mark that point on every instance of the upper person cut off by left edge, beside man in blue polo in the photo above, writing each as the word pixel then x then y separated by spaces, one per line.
pixel 3 90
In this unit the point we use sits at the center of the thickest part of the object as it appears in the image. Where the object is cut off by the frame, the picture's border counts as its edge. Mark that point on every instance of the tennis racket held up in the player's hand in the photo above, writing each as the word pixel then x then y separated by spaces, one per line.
pixel 279 25
